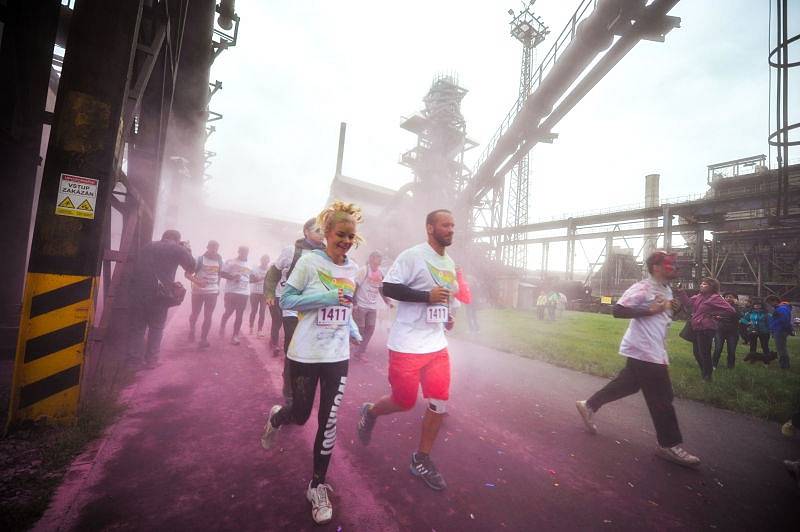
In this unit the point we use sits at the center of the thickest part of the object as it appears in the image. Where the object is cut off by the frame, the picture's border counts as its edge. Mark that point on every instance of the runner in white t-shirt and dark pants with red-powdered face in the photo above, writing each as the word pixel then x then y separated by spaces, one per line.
pixel 649 305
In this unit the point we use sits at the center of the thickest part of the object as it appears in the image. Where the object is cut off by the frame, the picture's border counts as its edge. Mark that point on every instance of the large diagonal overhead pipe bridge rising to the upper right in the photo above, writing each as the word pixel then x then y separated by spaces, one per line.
pixel 569 70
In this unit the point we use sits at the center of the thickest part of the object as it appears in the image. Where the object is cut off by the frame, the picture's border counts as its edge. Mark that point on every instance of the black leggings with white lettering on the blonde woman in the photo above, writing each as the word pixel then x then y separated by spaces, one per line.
pixel 332 377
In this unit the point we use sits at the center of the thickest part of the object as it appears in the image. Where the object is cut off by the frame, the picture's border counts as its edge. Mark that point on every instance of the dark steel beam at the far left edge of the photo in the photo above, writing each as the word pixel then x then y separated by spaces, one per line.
pixel 26 54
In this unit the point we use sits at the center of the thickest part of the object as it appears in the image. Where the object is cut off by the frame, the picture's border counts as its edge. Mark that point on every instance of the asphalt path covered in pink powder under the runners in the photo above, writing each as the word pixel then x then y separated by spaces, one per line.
pixel 185 455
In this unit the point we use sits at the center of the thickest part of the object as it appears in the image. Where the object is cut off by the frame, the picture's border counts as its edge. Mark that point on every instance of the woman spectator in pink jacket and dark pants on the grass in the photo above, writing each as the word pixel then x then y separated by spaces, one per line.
pixel 707 308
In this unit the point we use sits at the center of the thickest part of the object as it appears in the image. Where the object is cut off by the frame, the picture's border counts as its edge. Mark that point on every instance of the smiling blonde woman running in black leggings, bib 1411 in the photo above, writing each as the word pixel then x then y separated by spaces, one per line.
pixel 321 289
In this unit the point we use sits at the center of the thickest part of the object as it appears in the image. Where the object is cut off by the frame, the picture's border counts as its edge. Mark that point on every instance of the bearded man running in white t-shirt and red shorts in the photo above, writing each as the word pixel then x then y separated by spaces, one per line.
pixel 422 280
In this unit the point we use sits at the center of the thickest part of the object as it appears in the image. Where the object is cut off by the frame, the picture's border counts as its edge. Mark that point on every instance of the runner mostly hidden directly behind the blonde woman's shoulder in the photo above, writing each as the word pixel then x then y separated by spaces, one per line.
pixel 277 276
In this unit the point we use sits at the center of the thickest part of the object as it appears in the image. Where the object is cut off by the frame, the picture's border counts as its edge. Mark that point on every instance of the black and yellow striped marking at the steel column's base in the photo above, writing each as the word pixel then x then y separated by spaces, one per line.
pixel 56 314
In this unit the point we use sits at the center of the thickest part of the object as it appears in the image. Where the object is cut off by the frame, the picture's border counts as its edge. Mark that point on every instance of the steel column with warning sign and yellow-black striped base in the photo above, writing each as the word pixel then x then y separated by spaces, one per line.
pixel 66 251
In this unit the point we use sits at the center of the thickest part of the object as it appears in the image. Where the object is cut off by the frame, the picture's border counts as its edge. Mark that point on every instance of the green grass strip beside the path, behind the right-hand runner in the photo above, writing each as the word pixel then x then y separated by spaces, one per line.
pixel 589 343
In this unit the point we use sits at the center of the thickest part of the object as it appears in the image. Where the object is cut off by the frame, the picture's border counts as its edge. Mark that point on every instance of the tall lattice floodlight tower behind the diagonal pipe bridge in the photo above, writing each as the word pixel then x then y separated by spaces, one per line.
pixel 528 29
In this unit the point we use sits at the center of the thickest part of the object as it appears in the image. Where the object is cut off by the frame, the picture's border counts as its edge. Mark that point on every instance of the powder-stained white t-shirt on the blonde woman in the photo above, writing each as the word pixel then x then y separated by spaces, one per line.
pixel 314 342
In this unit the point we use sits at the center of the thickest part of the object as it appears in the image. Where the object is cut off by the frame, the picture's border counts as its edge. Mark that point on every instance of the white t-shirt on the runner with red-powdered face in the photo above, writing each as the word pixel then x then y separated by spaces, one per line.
pixel 646 337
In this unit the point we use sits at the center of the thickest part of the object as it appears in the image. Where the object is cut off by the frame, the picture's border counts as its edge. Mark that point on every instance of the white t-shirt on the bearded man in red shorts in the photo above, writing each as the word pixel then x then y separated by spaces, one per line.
pixel 419 268
